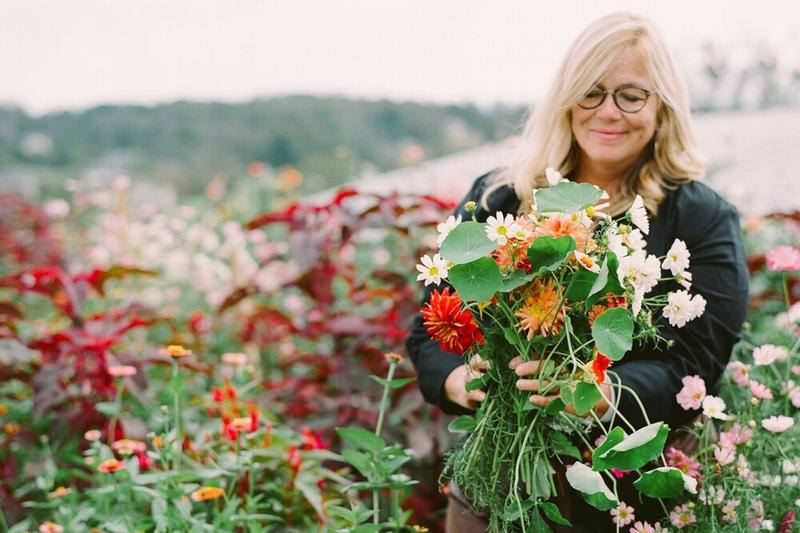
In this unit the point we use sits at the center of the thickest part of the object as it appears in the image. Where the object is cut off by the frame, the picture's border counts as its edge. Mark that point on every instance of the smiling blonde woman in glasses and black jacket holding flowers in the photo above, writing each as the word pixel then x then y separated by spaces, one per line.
pixel 617 116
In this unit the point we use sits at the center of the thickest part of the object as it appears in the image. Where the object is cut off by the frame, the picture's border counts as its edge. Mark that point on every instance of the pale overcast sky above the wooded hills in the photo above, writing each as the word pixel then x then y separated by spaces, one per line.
pixel 64 54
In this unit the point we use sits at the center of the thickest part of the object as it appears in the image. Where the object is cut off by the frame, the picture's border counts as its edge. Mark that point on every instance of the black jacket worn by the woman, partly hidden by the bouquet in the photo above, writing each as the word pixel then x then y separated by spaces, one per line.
pixel 709 226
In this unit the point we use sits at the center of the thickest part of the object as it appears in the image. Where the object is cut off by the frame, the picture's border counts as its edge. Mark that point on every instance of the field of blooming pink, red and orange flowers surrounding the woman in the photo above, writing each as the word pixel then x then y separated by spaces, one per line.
pixel 233 362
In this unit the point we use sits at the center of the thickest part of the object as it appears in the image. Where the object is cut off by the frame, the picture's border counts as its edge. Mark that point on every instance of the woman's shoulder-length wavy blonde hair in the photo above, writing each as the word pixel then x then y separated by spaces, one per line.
pixel 669 159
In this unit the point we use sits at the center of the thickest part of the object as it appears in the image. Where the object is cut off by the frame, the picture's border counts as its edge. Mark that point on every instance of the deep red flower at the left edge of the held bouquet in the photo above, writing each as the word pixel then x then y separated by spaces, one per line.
pixel 445 321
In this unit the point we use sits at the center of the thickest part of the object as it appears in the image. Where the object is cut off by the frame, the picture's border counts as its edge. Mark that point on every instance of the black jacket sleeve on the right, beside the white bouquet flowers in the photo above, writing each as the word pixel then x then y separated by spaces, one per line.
pixel 710 228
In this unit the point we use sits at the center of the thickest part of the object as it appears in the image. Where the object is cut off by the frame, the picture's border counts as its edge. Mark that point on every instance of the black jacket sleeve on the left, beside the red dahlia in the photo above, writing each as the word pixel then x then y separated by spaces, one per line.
pixel 433 364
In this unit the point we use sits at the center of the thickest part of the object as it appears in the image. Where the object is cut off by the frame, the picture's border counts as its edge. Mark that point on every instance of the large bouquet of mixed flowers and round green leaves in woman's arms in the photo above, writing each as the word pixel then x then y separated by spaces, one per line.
pixel 568 286
